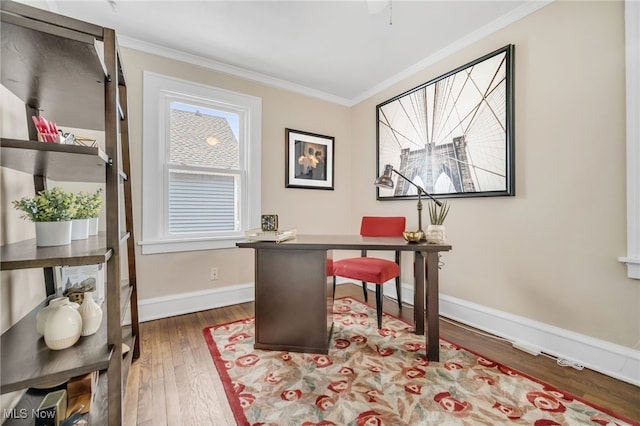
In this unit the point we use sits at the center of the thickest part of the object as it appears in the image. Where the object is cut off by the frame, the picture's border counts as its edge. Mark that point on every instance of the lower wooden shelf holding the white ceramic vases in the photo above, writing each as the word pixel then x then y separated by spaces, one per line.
pixel 28 362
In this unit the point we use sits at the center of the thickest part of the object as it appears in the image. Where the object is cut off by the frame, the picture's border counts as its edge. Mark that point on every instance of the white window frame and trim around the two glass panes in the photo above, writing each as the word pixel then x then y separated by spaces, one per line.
pixel 158 93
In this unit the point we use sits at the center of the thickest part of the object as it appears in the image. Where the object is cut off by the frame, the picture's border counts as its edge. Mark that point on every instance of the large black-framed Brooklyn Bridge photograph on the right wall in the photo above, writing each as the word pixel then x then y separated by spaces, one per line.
pixel 452 136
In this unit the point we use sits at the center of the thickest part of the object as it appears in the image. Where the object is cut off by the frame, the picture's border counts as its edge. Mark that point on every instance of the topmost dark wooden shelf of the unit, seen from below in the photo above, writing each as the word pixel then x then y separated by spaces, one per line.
pixel 60 75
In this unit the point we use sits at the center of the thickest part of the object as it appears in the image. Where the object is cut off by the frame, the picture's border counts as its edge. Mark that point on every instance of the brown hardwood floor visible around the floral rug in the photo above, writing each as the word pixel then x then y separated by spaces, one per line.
pixel 175 383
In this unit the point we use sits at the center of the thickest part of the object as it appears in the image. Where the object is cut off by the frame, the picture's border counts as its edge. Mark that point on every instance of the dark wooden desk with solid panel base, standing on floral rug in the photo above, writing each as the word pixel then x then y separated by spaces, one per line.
pixel 293 289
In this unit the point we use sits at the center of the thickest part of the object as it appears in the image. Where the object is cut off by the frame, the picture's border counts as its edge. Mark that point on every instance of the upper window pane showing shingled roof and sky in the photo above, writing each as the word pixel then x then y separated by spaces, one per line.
pixel 204 137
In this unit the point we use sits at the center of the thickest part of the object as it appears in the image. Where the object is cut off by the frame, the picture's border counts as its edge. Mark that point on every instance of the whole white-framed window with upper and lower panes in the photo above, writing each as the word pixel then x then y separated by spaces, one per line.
pixel 201 165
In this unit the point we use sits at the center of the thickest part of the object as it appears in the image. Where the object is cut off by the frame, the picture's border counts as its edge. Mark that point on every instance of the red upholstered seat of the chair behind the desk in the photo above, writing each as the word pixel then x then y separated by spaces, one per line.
pixel 367 269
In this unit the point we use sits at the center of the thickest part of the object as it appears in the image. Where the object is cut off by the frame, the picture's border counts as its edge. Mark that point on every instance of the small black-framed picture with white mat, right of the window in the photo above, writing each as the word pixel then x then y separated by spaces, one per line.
pixel 309 161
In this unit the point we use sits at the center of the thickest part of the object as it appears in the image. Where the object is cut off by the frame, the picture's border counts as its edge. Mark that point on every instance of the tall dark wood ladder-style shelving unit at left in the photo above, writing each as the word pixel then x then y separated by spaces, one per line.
pixel 70 72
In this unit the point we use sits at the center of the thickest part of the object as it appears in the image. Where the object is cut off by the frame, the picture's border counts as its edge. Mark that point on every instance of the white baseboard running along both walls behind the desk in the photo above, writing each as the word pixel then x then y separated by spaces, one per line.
pixel 616 361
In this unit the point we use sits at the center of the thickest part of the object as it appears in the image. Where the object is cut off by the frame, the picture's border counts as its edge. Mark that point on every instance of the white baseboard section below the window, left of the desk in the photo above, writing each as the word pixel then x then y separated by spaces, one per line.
pixel 186 303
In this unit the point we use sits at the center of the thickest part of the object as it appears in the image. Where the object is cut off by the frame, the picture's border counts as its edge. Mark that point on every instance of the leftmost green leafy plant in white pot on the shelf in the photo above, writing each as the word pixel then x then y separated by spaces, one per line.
pixel 51 210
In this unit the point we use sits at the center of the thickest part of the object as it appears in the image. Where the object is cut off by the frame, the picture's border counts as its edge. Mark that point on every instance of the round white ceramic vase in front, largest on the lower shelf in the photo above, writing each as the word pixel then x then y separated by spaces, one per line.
pixel 63 326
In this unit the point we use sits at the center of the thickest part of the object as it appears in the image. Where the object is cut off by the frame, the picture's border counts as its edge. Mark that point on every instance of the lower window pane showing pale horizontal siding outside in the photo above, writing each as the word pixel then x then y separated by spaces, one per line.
pixel 202 202
